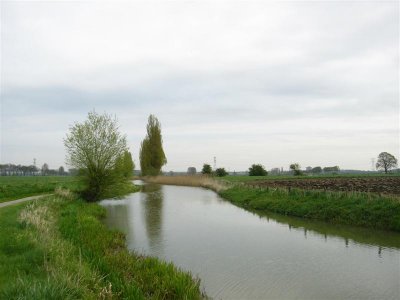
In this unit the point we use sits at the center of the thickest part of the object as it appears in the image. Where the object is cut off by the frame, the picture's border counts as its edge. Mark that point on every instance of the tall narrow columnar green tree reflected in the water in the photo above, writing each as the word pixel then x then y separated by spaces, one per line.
pixel 152 156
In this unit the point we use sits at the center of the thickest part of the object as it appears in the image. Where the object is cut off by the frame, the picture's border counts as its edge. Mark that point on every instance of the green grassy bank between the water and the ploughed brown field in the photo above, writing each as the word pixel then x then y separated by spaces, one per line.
pixel 359 209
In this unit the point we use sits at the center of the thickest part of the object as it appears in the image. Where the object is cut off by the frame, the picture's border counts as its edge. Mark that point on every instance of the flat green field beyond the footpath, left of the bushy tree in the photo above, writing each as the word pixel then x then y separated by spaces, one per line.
pixel 16 187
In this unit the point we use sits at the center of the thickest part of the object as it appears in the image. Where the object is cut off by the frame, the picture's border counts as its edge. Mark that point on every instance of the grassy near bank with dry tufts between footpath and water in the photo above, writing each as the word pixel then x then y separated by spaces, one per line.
pixel 58 248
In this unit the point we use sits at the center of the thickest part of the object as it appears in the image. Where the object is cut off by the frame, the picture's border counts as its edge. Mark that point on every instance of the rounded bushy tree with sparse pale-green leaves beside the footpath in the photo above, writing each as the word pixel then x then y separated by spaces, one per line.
pixel 94 147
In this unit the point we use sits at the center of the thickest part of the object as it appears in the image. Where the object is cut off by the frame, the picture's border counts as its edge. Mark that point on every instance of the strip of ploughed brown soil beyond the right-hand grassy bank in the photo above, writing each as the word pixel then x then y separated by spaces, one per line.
pixel 384 185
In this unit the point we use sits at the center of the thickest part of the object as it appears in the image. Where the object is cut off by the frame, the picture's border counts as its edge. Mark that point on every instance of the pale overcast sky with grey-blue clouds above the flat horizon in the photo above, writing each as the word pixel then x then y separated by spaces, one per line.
pixel 312 82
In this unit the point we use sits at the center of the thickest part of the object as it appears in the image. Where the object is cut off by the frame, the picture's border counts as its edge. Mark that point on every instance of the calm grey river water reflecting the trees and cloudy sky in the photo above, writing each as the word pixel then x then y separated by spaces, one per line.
pixel 241 255
